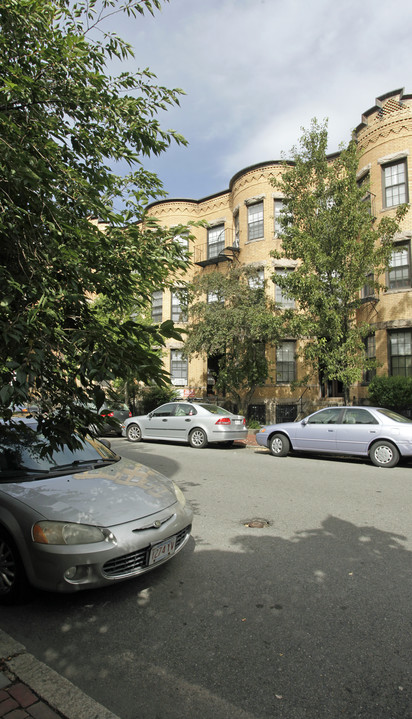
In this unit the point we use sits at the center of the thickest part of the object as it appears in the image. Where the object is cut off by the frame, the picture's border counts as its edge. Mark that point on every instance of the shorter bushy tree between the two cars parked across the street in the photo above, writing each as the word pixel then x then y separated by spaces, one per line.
pixel 232 319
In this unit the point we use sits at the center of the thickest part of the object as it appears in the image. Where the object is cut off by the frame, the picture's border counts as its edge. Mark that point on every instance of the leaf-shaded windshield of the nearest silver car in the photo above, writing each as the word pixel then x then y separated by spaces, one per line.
pixel 25 455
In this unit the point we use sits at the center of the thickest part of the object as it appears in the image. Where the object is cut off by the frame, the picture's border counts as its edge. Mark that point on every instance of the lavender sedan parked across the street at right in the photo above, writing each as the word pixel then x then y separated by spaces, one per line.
pixel 381 434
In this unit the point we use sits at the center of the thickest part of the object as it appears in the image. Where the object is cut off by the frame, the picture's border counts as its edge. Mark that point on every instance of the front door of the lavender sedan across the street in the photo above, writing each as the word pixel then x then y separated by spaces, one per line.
pixel 317 433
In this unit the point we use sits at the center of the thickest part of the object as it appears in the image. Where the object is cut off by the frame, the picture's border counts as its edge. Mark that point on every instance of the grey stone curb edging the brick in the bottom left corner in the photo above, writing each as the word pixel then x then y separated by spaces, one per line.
pixel 57 692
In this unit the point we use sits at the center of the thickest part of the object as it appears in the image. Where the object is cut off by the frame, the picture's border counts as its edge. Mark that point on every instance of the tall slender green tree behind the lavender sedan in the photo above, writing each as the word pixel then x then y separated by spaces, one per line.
pixel 328 228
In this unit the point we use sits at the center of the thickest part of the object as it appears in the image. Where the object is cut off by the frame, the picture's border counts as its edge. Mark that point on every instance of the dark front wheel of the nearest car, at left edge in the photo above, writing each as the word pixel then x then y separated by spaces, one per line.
pixel 13 581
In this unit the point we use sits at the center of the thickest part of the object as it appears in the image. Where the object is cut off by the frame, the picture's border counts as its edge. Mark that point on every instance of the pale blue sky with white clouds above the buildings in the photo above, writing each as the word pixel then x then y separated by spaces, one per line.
pixel 255 72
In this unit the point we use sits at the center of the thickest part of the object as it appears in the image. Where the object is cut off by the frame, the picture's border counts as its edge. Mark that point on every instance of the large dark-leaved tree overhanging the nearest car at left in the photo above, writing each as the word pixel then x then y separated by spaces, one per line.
pixel 64 122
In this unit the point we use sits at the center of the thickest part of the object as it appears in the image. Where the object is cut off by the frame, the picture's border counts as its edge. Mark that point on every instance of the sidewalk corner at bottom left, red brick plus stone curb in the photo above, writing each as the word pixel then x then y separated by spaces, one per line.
pixel 29 689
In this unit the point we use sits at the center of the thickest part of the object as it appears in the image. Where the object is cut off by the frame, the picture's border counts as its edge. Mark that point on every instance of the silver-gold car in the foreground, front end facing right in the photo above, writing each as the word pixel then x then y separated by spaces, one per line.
pixel 72 520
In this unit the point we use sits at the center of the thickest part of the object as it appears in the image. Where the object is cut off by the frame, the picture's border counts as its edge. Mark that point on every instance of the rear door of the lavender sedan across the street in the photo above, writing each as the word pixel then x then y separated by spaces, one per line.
pixel 358 428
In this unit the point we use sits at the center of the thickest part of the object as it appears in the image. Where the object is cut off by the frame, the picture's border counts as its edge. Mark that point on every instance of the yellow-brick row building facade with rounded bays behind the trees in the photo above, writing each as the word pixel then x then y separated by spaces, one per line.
pixel 241 225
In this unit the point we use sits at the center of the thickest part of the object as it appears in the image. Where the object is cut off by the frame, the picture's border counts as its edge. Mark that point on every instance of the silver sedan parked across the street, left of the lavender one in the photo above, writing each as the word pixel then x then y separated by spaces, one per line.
pixel 192 422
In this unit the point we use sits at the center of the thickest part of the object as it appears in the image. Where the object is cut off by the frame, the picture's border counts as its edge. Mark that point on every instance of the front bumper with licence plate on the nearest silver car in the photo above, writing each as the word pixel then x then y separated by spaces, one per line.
pixel 72 568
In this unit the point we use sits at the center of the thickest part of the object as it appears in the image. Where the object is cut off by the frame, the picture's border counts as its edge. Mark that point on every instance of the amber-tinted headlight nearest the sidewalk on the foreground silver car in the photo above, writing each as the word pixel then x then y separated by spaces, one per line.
pixel 69 533
